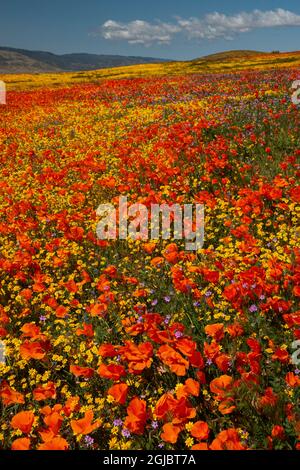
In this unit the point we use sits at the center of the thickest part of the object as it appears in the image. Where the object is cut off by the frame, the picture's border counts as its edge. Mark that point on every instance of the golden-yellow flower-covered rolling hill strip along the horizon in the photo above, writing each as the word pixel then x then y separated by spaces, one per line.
pixel 225 62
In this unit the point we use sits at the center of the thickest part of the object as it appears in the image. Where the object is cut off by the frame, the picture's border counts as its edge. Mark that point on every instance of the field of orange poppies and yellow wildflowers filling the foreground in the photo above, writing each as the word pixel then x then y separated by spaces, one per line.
pixel 126 344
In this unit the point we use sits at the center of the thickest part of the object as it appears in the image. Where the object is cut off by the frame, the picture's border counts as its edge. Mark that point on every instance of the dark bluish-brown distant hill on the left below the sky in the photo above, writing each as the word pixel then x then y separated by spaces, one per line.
pixel 23 61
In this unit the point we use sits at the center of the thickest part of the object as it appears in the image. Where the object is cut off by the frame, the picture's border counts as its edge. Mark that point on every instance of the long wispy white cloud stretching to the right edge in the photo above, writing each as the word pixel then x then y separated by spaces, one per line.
pixel 212 26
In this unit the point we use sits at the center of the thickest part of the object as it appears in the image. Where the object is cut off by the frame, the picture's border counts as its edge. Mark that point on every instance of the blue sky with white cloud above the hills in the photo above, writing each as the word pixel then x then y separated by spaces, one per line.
pixel 175 29
